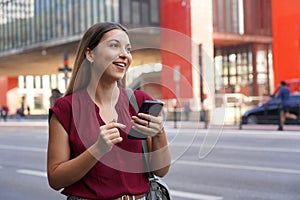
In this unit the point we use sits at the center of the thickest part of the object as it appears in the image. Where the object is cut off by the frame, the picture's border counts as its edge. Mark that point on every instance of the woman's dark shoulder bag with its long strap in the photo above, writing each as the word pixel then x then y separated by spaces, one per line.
pixel 158 188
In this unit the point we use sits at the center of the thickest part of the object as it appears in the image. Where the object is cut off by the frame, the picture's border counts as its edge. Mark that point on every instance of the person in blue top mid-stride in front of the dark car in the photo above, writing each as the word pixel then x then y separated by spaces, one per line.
pixel 284 96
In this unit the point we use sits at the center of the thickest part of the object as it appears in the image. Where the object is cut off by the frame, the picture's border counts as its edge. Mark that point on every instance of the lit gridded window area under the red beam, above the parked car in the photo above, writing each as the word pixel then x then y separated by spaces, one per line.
pixel 236 72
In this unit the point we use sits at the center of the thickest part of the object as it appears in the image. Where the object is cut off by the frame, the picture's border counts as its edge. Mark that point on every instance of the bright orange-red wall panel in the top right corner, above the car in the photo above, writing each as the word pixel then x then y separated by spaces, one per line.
pixel 286 39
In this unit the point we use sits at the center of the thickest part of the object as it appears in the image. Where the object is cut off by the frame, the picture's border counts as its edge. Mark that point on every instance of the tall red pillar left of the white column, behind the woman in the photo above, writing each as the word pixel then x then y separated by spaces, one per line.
pixel 176 47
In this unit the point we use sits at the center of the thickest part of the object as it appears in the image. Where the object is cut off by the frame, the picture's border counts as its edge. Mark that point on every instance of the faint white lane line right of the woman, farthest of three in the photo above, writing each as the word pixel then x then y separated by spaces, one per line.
pixel 245 148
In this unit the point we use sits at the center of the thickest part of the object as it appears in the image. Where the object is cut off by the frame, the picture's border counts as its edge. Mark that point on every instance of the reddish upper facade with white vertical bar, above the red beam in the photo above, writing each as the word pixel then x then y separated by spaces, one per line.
pixel 236 16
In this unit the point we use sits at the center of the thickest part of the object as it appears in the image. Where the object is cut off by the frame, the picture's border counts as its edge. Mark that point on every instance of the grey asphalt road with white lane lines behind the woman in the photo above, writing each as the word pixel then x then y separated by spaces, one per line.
pixel 208 164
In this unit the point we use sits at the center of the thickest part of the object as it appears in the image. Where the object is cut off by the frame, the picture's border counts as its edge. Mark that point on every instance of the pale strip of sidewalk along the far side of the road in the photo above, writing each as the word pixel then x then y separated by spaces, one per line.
pixel 168 124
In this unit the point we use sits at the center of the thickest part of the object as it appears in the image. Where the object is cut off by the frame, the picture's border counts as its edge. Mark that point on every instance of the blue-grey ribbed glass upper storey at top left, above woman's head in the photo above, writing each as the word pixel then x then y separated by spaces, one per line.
pixel 24 23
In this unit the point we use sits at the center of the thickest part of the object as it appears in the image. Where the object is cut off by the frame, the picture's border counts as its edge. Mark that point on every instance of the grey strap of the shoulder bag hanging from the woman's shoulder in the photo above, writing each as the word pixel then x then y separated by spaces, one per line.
pixel 133 102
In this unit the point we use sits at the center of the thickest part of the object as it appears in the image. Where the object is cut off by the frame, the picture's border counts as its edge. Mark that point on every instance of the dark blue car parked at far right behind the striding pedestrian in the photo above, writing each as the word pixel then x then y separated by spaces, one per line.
pixel 268 112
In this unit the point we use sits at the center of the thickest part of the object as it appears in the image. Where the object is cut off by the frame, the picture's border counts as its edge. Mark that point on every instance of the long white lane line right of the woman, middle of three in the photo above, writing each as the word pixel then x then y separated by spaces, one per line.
pixel 240 167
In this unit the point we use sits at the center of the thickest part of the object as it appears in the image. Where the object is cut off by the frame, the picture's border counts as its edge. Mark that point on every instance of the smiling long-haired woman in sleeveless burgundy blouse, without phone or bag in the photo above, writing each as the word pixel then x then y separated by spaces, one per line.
pixel 89 153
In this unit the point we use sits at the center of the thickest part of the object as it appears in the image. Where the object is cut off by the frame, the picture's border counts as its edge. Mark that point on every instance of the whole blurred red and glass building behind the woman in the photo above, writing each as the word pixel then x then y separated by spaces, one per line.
pixel 242 47
